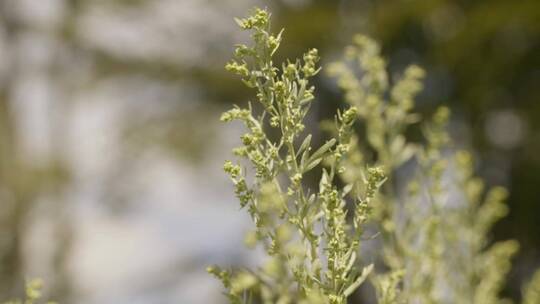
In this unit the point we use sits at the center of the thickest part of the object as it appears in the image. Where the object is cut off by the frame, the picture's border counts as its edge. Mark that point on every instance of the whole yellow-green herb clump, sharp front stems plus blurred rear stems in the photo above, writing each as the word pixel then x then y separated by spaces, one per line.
pixel 435 242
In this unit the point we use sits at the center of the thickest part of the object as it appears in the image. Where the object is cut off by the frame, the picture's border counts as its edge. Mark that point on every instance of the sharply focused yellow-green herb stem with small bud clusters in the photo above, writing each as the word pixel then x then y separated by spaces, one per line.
pixel 312 249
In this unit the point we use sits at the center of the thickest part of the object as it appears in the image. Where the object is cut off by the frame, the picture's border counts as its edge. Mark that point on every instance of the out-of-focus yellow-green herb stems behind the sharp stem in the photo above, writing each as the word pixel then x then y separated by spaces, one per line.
pixel 435 238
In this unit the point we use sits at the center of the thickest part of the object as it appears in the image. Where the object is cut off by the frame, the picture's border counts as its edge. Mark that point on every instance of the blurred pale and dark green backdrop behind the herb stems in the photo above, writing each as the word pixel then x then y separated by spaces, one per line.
pixel 111 187
